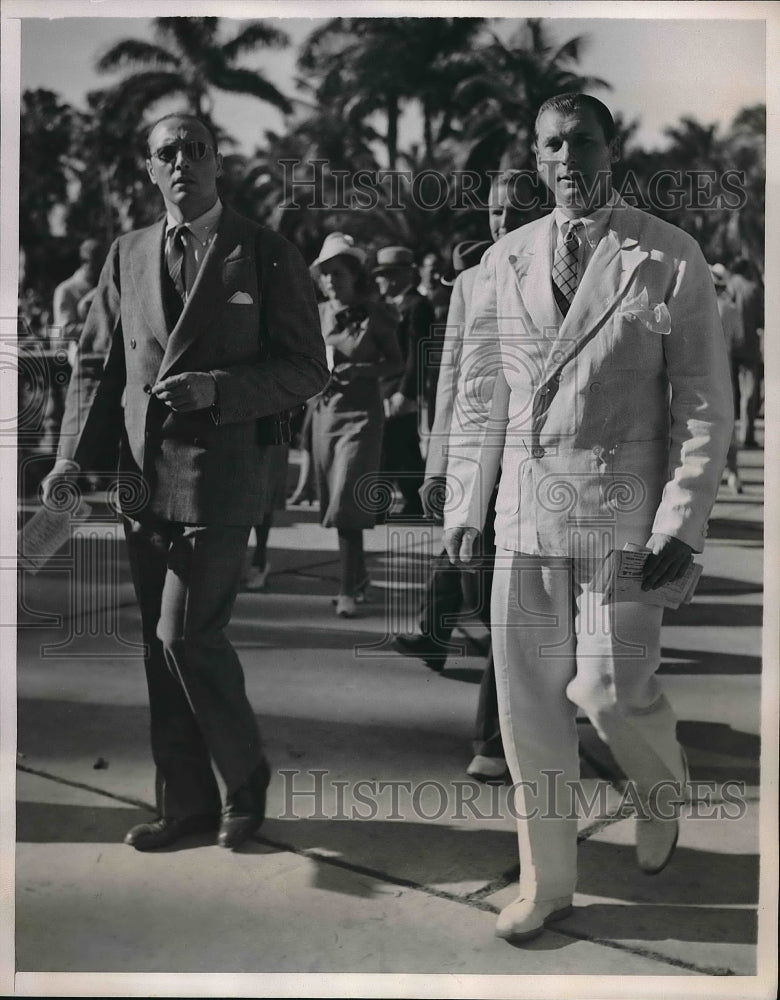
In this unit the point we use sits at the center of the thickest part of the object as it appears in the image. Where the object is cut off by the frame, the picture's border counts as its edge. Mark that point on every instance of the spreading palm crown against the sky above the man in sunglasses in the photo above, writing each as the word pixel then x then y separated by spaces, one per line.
pixel 187 57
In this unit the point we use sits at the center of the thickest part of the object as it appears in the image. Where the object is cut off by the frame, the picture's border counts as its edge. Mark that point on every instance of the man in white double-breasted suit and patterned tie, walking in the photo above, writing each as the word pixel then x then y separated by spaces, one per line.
pixel 594 371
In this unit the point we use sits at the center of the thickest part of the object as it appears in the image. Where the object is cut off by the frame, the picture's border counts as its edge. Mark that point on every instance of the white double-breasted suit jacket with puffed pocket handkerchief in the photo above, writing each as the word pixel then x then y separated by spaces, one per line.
pixel 616 418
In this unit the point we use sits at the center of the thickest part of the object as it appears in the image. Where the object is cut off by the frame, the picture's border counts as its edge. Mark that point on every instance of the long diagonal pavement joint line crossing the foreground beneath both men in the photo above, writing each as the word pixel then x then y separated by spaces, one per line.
pixel 471 900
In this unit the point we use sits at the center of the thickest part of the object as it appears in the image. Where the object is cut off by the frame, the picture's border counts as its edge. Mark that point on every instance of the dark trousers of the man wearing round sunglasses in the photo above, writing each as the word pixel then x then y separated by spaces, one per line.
pixel 186 578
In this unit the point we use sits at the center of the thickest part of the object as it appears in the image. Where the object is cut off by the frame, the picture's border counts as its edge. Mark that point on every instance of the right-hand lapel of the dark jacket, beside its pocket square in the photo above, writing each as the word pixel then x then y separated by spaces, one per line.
pixel 203 296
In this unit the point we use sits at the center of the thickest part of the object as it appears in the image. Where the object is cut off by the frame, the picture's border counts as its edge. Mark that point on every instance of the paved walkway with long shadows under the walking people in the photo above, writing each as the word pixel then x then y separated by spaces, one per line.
pixel 354 880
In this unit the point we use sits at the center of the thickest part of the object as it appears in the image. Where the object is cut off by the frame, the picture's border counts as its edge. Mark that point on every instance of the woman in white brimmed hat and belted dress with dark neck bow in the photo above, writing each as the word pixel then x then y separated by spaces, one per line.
pixel 348 420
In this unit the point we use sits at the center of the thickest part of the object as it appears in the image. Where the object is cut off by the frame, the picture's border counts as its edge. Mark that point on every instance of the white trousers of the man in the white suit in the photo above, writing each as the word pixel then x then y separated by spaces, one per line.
pixel 556 647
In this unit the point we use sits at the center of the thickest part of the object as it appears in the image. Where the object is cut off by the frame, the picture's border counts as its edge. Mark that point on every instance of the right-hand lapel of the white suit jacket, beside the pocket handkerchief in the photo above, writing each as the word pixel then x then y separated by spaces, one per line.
pixel 605 280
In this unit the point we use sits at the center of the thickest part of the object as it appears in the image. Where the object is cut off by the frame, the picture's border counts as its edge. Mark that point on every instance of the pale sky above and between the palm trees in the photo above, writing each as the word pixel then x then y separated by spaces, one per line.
pixel 660 70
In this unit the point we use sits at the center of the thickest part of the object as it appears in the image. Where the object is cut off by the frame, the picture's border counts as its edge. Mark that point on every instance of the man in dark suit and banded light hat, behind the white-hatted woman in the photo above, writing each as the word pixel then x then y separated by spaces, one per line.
pixel 396 277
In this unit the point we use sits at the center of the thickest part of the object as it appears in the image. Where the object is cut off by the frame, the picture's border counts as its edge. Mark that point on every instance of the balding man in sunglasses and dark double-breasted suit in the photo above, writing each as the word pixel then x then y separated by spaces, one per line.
pixel 207 329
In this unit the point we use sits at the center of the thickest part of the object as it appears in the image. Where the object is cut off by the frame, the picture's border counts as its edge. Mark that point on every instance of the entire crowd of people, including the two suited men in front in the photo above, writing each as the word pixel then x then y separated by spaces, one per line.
pixel 543 356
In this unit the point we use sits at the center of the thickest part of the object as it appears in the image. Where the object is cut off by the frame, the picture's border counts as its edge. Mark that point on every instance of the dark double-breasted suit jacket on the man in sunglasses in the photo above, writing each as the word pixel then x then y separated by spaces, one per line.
pixel 250 320
